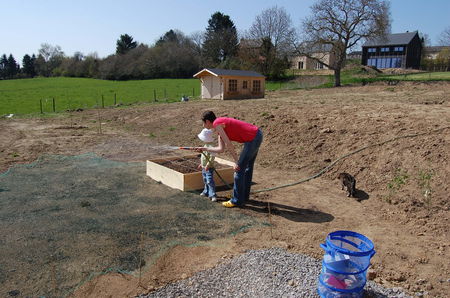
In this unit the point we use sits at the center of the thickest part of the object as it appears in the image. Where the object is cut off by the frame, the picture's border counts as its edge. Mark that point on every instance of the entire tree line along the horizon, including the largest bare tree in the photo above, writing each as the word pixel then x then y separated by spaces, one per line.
pixel 265 47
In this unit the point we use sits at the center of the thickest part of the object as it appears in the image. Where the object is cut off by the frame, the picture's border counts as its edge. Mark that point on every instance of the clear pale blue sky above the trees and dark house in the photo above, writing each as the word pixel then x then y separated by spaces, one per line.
pixel 96 25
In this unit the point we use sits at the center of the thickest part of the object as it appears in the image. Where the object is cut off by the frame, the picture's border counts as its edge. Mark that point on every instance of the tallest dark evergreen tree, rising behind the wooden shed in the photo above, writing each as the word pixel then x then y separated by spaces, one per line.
pixel 221 40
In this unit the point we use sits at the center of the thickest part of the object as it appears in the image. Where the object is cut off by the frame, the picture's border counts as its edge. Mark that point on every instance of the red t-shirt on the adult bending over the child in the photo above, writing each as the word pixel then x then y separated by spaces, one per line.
pixel 237 130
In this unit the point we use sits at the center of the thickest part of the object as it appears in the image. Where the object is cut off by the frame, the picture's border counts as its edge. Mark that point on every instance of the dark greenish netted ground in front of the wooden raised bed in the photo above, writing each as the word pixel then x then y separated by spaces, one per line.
pixel 65 219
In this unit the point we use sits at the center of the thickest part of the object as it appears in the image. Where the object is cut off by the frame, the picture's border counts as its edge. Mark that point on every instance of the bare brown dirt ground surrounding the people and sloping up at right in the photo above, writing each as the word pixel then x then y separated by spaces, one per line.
pixel 402 185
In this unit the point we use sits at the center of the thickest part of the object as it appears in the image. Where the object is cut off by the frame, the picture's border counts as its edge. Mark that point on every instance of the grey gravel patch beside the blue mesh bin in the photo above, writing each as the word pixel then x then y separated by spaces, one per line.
pixel 261 273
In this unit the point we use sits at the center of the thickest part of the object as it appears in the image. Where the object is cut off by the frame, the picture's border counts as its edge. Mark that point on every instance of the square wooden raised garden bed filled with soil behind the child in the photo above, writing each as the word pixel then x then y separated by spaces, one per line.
pixel 182 173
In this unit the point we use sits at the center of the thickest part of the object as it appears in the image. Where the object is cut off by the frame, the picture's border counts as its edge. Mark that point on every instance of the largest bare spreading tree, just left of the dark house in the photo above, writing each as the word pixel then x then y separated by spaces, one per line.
pixel 340 25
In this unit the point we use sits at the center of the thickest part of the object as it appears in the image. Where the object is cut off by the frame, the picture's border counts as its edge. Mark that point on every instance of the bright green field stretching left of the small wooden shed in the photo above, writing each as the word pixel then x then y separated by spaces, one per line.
pixel 24 96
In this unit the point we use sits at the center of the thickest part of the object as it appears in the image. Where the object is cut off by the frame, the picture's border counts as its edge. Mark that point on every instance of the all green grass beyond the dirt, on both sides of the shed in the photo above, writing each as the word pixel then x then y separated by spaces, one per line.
pixel 25 96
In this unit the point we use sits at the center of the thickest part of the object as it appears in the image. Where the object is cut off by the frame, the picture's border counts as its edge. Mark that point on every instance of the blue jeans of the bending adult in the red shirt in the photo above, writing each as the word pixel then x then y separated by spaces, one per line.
pixel 243 177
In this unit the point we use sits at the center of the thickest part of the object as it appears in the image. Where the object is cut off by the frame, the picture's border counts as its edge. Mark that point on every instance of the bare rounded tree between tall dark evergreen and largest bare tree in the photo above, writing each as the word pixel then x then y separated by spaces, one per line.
pixel 273 24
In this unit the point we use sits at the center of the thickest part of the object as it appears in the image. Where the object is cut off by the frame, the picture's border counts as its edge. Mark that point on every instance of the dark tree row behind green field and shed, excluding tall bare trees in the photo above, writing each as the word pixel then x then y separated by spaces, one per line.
pixel 173 55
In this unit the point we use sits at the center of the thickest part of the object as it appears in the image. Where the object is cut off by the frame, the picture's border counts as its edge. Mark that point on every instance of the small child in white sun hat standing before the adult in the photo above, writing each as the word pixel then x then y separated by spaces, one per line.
pixel 207 165
